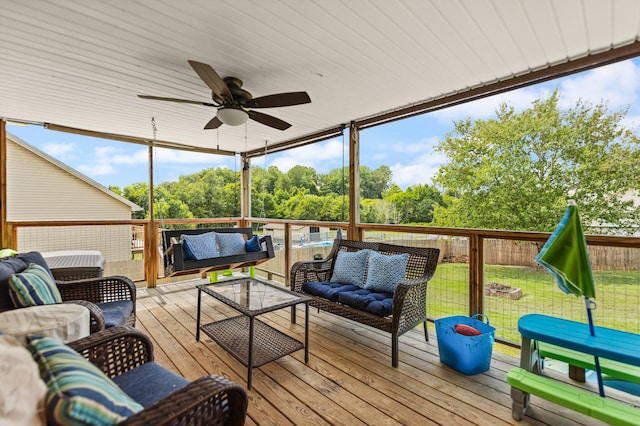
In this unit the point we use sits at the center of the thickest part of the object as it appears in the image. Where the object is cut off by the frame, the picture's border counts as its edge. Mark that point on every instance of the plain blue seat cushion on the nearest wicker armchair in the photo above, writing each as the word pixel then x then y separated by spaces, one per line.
pixel 149 383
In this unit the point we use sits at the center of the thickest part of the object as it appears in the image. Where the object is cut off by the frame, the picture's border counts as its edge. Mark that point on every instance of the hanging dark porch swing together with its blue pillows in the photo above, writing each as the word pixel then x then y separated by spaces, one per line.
pixel 239 250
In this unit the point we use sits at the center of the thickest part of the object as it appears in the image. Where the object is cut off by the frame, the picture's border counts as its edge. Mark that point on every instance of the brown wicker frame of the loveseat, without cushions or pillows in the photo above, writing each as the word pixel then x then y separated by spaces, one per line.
pixel 409 298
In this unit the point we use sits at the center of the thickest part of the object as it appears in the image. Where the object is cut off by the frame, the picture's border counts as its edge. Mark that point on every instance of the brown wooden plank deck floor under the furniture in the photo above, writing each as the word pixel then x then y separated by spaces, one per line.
pixel 348 379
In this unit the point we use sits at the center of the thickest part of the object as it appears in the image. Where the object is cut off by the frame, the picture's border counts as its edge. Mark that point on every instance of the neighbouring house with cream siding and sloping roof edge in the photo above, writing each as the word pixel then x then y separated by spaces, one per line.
pixel 41 188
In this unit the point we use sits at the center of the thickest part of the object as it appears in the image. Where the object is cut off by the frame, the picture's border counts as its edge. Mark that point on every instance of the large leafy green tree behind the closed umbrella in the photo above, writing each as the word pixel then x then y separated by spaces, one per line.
pixel 517 171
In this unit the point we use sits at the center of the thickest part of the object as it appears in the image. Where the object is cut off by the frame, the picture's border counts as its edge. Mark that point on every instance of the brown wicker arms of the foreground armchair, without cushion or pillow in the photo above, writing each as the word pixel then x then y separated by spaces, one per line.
pixel 210 400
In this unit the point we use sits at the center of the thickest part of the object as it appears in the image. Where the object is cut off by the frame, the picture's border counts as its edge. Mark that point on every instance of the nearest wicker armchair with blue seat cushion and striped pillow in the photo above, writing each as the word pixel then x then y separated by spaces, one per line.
pixel 125 356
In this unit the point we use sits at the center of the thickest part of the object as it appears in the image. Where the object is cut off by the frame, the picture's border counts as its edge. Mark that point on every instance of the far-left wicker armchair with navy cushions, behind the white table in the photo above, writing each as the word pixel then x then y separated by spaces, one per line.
pixel 114 296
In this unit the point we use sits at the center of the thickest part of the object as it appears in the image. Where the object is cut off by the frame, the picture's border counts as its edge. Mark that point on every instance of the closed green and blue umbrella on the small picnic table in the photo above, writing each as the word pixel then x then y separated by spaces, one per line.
pixel 566 257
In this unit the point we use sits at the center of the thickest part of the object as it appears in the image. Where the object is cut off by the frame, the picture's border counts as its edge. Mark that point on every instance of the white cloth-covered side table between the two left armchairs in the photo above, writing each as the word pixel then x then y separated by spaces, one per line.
pixel 64 321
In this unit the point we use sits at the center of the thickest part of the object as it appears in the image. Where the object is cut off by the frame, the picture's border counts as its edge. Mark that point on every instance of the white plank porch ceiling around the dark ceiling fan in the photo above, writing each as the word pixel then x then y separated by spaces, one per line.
pixel 78 65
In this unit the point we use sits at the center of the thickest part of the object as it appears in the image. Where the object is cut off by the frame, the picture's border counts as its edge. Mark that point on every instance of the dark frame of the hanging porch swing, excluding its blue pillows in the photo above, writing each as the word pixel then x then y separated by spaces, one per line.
pixel 176 262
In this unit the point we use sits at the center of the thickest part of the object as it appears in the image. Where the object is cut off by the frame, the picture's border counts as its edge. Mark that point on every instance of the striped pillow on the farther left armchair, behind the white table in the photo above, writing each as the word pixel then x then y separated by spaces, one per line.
pixel 33 286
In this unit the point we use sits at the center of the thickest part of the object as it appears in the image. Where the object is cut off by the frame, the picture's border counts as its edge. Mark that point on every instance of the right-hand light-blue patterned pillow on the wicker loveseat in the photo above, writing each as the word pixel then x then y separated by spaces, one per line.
pixel 385 272
